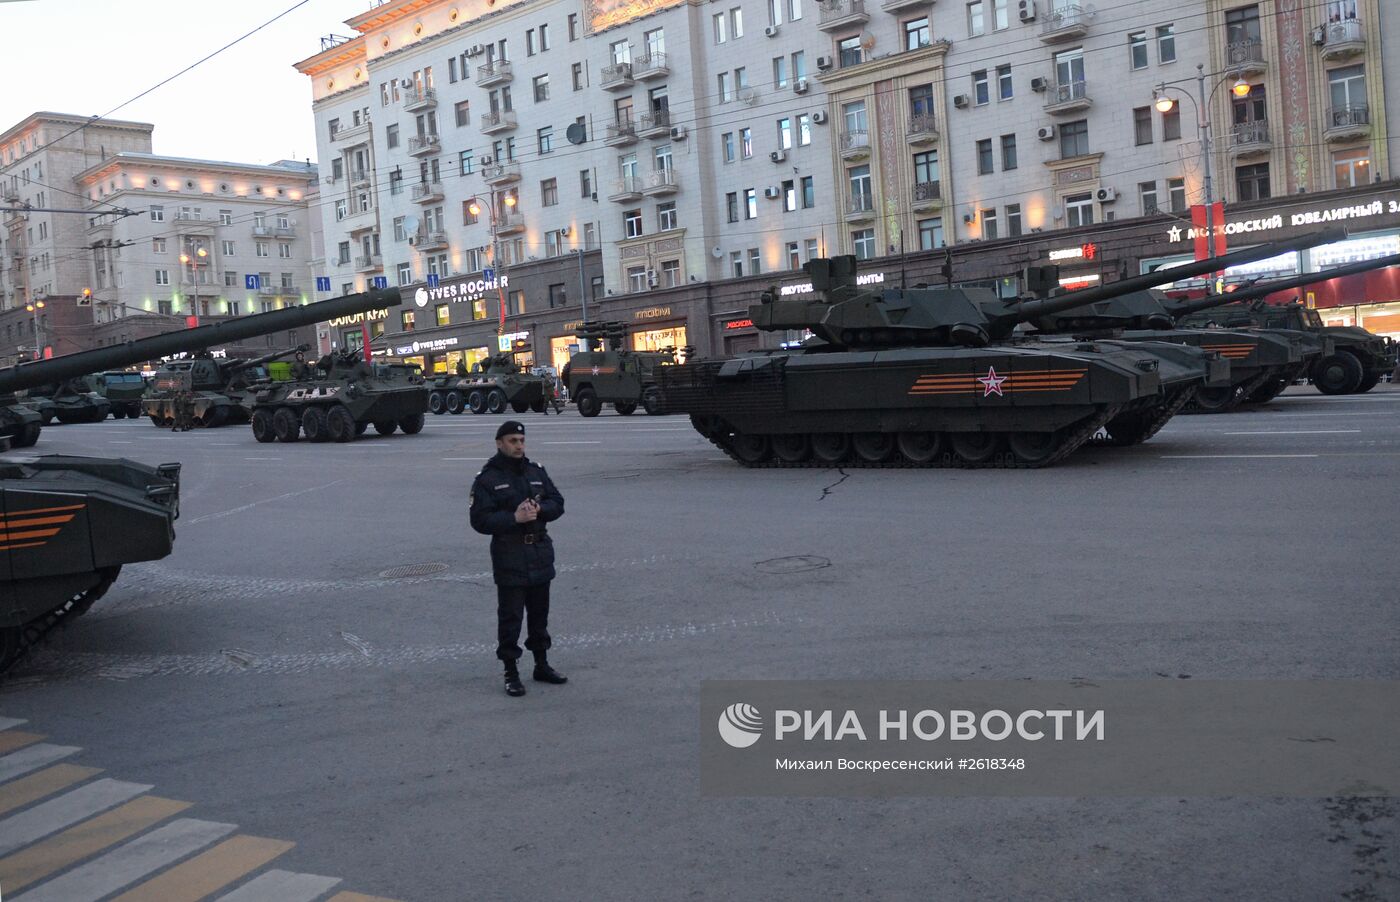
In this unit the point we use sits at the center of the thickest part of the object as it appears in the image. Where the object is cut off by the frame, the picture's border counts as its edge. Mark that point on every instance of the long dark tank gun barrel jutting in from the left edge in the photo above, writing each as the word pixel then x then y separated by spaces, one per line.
pixel 82 363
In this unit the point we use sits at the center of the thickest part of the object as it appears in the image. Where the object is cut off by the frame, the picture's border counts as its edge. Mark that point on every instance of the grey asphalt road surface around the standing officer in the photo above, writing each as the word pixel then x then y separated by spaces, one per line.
pixel 276 677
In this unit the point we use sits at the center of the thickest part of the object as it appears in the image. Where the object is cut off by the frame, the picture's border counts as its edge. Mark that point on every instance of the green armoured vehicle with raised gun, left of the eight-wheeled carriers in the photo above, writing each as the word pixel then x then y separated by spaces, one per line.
pixel 219 391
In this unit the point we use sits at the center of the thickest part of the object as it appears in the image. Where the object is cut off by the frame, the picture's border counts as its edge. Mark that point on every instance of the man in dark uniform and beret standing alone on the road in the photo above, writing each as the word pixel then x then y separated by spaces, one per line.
pixel 513 499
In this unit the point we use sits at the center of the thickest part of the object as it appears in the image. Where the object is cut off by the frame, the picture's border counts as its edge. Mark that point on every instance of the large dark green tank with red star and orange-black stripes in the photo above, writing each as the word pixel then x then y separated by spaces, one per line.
pixel 929 377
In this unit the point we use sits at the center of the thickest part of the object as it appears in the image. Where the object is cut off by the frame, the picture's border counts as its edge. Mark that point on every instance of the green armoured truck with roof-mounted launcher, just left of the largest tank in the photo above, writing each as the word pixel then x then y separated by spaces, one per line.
pixel 605 372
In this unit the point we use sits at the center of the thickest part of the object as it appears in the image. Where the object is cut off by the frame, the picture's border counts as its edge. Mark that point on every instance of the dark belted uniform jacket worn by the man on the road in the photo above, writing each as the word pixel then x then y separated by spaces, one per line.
pixel 521 553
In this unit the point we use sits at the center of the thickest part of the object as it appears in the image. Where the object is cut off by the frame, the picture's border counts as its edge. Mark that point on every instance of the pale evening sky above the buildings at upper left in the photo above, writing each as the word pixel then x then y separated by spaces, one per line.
pixel 246 106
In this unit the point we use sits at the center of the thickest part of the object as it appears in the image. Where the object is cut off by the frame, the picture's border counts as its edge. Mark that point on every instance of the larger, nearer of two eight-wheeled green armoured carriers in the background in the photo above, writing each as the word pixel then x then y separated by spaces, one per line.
pixel 338 404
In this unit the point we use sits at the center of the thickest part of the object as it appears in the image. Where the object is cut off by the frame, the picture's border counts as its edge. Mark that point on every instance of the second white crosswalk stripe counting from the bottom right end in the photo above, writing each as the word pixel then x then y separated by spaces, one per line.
pixel 129 863
